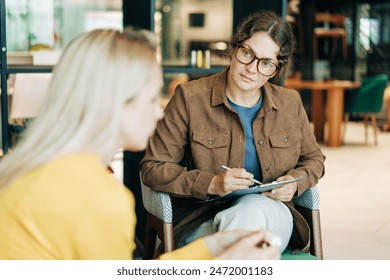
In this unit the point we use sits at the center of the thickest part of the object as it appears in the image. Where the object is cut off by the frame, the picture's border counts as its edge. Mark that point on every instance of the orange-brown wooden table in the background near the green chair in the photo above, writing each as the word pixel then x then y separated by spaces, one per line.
pixel 333 110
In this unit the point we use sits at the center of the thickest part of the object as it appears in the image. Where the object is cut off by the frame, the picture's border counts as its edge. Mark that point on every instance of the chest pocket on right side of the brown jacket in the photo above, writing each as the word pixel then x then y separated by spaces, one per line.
pixel 286 148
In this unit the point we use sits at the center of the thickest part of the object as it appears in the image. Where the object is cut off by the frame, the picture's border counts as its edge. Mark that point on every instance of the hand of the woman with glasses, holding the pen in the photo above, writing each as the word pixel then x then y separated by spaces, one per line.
pixel 230 180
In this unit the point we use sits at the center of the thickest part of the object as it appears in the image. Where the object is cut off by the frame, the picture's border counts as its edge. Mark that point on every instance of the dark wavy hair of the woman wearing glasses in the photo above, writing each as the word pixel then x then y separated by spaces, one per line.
pixel 277 28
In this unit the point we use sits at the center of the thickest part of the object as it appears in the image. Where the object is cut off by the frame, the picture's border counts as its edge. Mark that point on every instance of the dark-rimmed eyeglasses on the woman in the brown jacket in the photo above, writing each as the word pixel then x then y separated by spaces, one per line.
pixel 265 66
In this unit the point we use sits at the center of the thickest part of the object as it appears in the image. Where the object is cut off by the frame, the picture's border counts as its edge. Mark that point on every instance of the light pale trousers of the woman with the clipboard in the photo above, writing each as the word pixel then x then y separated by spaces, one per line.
pixel 249 212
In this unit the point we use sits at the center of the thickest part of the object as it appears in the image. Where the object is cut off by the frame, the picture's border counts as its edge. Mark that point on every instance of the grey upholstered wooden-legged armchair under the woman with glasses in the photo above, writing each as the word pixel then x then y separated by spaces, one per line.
pixel 159 220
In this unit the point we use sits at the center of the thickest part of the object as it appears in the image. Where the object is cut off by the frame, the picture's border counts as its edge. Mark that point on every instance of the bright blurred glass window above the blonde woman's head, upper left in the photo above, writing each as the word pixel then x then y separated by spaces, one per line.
pixel 49 25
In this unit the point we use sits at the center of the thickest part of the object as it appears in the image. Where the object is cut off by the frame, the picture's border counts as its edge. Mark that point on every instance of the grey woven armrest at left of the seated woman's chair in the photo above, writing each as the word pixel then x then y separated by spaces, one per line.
pixel 157 203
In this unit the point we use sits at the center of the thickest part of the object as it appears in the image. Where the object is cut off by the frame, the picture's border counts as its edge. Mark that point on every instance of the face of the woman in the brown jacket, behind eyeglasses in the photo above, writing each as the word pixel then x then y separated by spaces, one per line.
pixel 247 77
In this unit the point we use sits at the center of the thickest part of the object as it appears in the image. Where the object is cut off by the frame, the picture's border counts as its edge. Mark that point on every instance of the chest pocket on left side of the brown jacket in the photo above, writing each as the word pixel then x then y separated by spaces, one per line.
pixel 209 150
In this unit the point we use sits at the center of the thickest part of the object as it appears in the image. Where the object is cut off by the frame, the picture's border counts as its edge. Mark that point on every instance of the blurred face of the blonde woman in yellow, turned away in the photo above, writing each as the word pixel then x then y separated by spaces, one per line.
pixel 141 114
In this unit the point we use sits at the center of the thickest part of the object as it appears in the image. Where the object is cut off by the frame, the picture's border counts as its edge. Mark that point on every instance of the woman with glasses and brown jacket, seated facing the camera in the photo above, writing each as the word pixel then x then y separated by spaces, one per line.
pixel 239 119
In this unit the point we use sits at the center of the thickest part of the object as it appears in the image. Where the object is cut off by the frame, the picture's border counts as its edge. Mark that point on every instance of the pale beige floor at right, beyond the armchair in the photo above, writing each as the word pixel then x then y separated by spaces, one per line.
pixel 355 198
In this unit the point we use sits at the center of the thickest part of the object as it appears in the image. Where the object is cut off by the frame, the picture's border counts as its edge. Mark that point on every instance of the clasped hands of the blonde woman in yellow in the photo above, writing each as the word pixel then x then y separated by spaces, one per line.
pixel 243 245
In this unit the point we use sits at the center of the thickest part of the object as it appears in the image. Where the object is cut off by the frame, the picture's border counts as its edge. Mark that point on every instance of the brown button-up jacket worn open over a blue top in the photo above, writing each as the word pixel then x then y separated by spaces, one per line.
pixel 201 131
